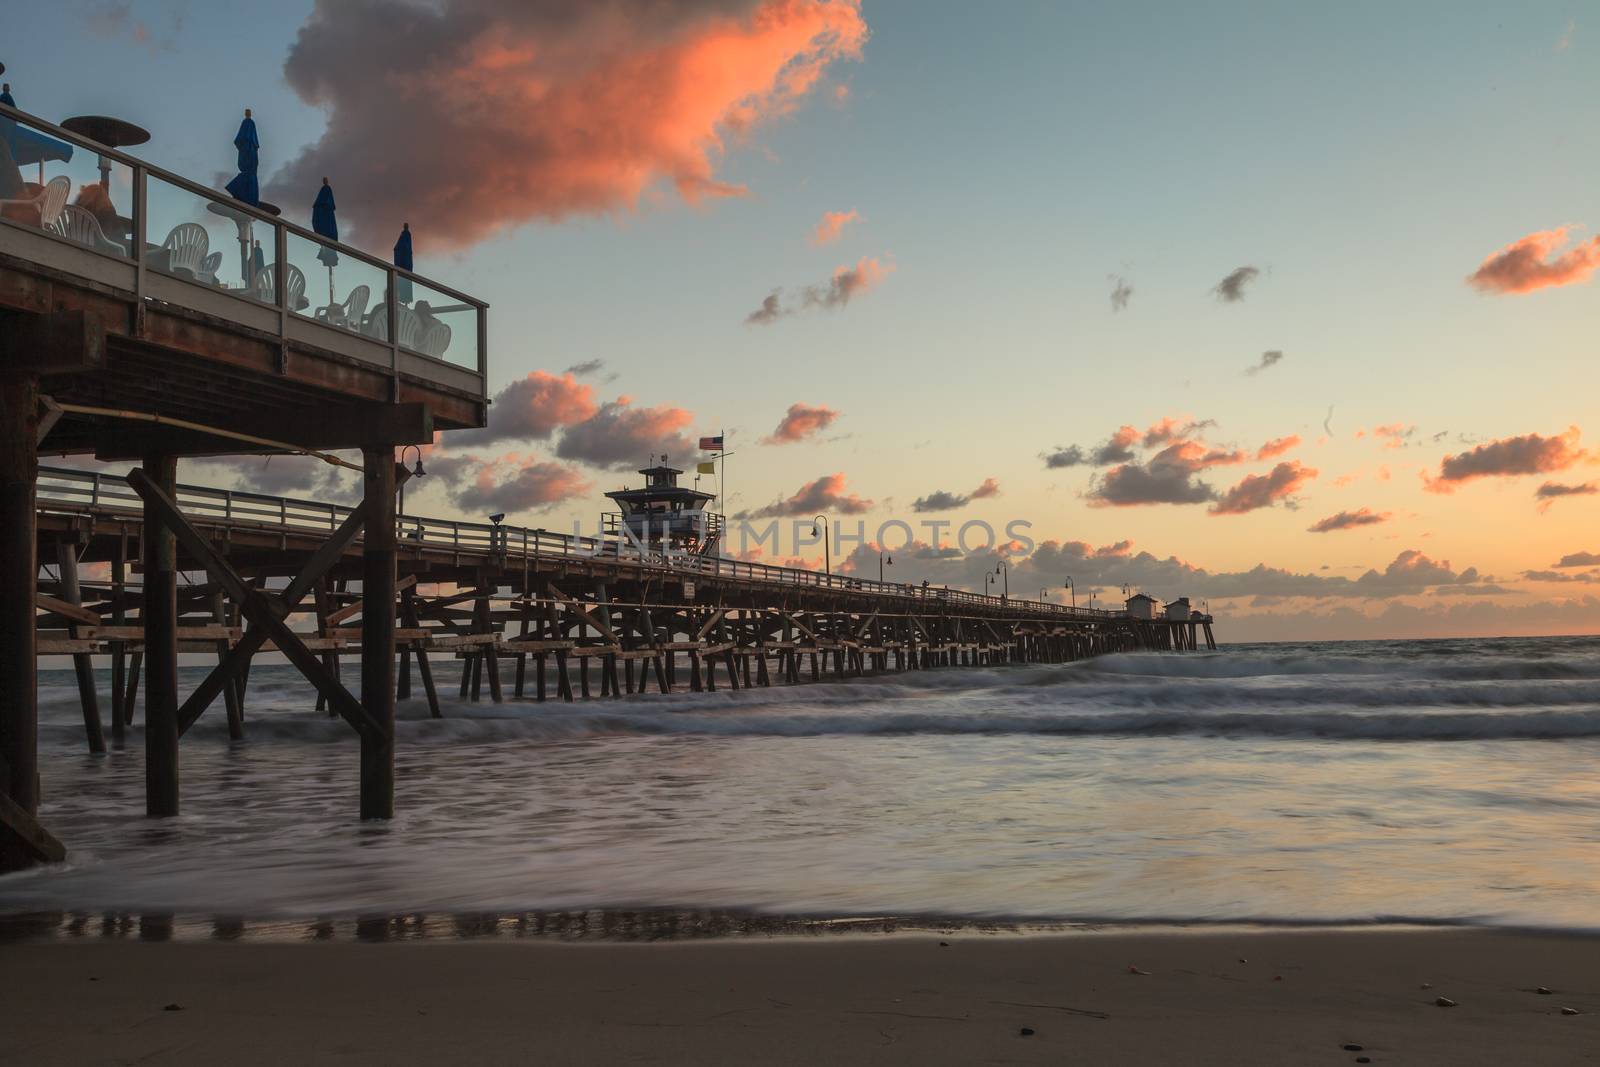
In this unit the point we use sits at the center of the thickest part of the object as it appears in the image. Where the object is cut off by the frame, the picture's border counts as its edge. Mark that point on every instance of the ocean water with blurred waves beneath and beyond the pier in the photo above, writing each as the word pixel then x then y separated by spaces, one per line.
pixel 1449 781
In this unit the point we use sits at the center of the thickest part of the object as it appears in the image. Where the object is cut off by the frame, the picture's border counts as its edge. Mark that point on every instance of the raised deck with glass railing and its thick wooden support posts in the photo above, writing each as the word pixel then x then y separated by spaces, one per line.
pixel 148 318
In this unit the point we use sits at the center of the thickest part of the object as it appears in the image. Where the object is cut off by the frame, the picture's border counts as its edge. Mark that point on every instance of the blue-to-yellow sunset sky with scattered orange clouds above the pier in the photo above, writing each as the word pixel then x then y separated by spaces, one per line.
pixel 1335 271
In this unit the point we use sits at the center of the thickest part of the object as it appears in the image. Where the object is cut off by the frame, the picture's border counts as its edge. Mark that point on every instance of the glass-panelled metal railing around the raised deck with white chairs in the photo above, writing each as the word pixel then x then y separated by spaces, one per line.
pixel 447 327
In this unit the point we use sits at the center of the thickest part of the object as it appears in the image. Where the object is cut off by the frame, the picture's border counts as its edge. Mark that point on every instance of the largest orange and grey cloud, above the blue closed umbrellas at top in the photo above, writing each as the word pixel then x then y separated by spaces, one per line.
pixel 542 111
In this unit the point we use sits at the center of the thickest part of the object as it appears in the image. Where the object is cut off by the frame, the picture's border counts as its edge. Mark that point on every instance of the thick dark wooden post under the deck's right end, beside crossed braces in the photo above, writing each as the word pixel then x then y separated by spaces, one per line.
pixel 378 634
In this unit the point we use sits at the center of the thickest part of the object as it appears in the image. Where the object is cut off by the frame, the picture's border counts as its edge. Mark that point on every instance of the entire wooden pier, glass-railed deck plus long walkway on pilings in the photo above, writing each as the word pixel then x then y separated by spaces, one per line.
pixel 134 350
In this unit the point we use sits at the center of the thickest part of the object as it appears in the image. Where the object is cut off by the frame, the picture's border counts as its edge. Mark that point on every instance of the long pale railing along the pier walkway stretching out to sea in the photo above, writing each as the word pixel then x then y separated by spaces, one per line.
pixel 89 492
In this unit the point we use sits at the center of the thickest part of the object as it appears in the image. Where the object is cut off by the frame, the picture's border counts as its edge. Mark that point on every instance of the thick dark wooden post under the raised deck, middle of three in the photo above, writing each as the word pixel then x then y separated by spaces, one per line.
pixel 159 615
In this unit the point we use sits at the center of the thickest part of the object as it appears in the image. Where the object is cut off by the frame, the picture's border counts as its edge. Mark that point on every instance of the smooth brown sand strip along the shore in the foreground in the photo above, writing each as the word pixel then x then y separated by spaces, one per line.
pixel 1220 997
